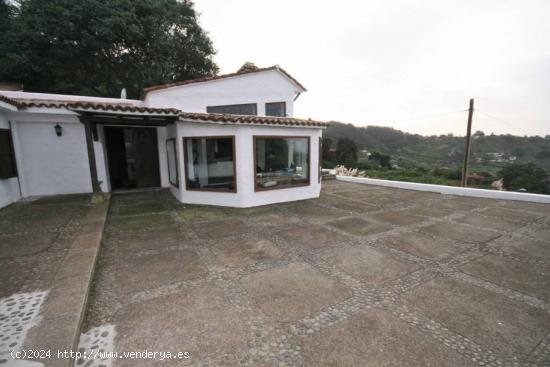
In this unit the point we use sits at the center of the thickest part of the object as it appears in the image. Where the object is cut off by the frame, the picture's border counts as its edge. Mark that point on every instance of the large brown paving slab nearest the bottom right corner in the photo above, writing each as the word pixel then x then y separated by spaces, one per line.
pixel 495 321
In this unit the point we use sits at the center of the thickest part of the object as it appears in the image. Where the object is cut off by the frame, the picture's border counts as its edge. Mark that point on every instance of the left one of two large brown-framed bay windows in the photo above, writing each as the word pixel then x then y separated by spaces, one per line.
pixel 210 163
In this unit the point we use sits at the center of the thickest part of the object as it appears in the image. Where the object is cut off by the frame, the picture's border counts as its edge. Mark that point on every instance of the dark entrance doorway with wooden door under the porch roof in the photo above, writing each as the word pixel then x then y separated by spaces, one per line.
pixel 132 153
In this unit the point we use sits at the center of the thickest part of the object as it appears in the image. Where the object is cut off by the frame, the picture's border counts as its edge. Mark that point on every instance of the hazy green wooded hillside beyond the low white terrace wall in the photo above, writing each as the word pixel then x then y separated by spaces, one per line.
pixel 382 152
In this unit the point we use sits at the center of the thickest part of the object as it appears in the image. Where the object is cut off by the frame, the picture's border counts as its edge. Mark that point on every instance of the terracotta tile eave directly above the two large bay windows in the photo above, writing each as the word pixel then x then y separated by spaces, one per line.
pixel 251 119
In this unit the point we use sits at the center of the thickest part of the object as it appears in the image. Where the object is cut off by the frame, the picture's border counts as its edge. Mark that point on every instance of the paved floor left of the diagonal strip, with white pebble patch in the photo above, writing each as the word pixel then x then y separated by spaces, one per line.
pixel 35 237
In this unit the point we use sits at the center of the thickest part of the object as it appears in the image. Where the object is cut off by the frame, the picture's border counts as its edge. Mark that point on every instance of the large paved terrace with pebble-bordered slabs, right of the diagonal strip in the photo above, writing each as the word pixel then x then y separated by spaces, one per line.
pixel 363 276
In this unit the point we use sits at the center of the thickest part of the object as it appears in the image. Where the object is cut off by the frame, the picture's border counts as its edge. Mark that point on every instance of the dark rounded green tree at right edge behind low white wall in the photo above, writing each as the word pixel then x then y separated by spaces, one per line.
pixel 525 176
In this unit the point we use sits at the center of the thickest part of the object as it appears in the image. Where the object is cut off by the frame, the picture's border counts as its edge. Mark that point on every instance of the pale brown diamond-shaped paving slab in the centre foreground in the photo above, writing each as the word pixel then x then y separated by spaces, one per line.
pixel 293 291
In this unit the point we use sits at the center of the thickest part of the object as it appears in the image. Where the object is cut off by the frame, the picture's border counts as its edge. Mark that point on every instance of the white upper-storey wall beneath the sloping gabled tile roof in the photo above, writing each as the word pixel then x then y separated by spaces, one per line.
pixel 260 88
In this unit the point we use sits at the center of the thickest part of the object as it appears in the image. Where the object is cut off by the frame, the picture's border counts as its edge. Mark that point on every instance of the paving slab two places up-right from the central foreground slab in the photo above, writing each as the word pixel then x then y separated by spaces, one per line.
pixel 424 246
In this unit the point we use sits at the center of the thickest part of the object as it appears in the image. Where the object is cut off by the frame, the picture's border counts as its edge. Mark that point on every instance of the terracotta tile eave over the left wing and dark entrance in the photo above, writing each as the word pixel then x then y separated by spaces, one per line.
pixel 108 107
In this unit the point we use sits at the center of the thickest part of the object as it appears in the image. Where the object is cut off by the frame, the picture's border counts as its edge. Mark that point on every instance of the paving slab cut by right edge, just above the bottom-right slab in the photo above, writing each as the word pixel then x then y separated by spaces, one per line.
pixel 524 277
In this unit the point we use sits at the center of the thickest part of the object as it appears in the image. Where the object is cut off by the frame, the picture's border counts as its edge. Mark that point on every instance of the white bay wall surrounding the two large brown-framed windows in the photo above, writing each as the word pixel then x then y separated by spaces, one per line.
pixel 245 195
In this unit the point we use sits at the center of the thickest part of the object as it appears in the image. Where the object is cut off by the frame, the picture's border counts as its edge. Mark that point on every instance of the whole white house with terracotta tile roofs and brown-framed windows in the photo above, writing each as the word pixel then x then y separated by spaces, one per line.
pixel 227 140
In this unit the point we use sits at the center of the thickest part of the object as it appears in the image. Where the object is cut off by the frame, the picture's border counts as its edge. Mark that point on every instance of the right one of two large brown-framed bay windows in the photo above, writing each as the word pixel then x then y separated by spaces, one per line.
pixel 281 162
